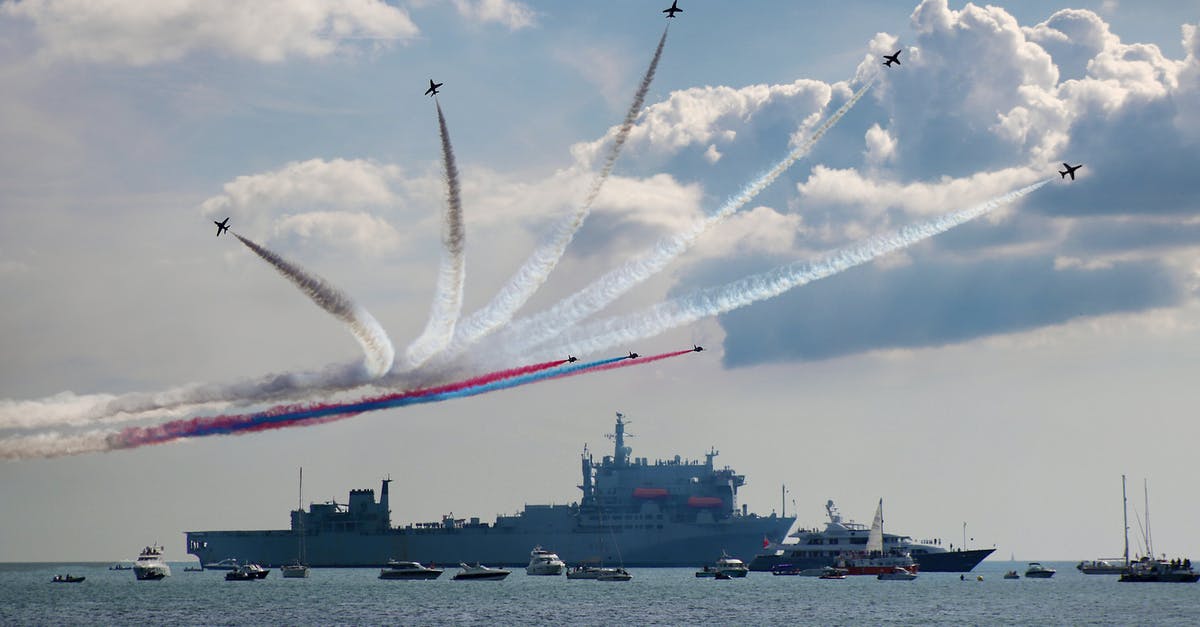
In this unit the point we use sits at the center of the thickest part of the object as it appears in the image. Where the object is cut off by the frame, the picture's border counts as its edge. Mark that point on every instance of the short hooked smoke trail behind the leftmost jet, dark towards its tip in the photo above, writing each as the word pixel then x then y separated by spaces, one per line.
pixel 365 329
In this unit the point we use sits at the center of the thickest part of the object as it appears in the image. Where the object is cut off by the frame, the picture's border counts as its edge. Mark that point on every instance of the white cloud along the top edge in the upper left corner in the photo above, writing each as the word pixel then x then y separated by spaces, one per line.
pixel 139 33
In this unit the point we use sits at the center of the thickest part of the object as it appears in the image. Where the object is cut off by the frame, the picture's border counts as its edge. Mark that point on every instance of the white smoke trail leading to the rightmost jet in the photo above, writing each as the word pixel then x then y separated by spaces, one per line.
pixel 621 331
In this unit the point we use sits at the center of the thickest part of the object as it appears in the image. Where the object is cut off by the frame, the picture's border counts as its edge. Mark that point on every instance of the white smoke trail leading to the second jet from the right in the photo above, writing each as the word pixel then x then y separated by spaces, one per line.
pixel 548 325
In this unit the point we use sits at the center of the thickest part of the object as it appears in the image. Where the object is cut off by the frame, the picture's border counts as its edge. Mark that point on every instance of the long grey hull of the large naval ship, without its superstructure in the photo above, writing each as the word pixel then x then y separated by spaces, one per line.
pixel 675 545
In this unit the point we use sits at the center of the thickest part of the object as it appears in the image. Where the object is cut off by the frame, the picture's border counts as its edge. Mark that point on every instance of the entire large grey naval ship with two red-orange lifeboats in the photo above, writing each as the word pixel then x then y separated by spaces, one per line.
pixel 633 512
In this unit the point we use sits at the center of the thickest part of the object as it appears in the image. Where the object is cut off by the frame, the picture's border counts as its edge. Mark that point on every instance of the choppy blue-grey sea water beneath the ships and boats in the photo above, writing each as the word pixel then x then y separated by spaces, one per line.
pixel 656 596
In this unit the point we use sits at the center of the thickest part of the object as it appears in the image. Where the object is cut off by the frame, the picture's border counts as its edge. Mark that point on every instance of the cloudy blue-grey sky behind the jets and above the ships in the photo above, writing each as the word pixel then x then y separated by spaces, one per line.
pixel 1003 374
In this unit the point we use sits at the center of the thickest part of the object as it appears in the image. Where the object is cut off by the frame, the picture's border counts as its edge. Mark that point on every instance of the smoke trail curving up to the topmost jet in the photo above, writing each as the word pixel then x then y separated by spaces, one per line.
pixel 531 277
